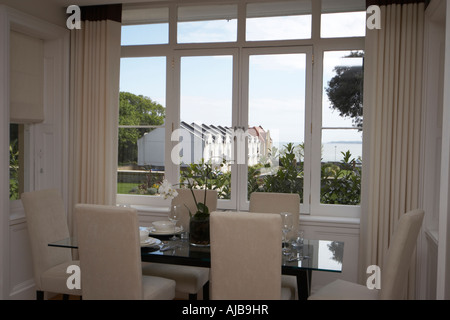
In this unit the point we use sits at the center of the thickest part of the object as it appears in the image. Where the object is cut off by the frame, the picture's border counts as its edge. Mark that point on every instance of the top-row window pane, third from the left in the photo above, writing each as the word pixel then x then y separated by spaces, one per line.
pixel 278 21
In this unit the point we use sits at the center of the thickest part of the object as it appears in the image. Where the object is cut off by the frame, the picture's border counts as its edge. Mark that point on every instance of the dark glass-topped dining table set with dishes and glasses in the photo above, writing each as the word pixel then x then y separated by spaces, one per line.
pixel 312 255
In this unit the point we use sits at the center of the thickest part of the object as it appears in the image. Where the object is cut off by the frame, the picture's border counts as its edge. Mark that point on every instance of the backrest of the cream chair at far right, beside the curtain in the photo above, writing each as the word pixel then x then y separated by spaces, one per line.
pixel 394 273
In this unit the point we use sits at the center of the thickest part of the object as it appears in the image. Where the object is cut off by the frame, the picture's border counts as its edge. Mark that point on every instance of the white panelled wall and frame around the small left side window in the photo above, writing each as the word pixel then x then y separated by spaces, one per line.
pixel 47 143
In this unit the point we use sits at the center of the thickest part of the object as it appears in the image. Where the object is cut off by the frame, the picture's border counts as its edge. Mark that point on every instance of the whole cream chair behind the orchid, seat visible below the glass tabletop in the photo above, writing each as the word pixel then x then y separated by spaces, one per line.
pixel 189 279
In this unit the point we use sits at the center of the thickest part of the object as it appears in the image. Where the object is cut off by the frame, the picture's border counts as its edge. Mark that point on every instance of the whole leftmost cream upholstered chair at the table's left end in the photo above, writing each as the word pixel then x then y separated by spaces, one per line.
pixel 46 222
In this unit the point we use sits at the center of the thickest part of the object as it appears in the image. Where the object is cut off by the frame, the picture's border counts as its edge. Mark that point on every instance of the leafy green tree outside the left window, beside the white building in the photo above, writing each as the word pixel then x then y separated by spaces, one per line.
pixel 136 110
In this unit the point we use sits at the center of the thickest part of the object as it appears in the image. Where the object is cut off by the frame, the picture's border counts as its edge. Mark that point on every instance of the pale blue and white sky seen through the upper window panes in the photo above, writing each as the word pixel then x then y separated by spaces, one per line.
pixel 276 82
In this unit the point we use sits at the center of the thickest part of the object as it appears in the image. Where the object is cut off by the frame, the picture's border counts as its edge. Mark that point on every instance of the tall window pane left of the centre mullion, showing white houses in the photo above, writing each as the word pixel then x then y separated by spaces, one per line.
pixel 205 113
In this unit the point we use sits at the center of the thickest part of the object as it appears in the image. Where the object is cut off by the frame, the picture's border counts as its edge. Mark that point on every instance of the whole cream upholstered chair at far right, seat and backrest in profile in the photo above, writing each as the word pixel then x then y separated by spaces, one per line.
pixel 394 272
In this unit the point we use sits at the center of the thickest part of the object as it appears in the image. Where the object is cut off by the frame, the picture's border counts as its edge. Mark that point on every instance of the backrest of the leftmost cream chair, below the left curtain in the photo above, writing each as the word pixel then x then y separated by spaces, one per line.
pixel 46 222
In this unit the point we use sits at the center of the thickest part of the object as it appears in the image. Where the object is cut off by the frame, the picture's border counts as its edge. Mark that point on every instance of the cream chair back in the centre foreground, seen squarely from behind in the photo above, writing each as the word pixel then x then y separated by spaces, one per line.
pixel 245 256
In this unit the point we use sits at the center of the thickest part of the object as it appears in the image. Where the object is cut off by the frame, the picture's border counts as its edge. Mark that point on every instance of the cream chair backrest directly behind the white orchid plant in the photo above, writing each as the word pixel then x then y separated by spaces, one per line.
pixel 186 200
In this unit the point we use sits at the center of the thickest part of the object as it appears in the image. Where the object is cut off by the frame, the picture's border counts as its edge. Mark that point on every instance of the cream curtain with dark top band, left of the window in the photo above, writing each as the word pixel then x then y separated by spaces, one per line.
pixel 94 112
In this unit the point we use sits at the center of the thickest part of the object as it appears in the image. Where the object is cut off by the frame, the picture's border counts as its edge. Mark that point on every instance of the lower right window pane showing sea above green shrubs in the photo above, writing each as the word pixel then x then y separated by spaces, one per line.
pixel 341 166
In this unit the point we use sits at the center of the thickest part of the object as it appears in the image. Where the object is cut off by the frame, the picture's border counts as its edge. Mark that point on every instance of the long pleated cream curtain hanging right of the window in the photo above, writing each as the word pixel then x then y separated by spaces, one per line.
pixel 392 110
